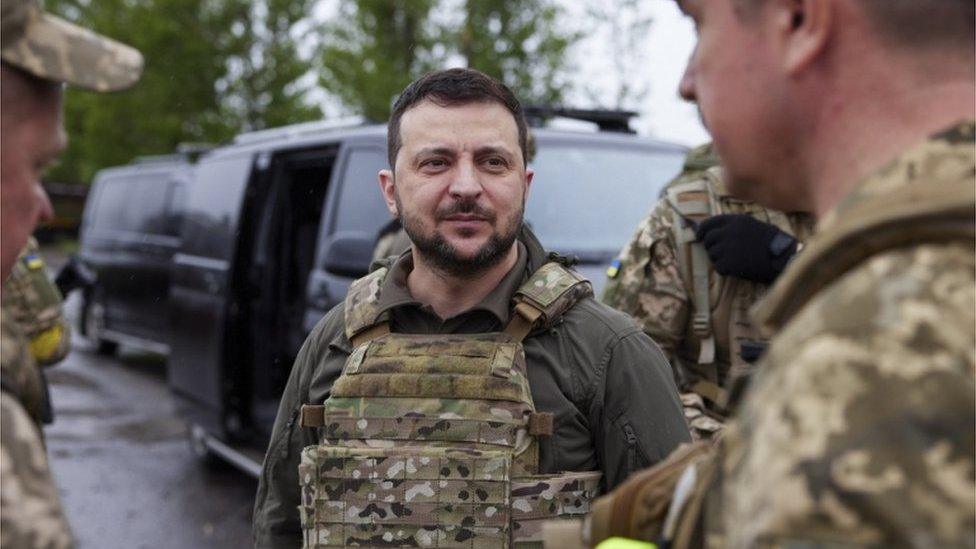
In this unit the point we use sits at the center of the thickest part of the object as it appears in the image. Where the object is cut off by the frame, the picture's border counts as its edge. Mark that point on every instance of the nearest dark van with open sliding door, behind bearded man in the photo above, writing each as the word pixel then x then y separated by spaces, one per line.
pixel 279 223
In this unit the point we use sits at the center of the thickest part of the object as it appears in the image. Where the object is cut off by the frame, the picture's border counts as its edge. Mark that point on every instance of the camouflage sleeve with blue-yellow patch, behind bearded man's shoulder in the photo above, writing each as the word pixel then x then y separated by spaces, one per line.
pixel 648 284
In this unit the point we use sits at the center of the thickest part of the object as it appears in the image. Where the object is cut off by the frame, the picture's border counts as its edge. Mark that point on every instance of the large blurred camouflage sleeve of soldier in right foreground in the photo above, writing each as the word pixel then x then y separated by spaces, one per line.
pixel 859 428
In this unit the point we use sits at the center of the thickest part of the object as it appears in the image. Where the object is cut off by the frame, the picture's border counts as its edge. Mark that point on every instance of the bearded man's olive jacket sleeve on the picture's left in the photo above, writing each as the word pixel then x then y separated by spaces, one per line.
pixel 276 520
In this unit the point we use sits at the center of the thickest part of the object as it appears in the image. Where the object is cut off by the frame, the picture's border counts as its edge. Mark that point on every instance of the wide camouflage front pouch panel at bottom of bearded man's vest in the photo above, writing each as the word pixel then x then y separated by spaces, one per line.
pixel 405 497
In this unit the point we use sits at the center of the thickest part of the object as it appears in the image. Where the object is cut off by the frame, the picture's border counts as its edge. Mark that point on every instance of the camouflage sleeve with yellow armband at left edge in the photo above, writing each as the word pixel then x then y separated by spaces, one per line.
pixel 35 304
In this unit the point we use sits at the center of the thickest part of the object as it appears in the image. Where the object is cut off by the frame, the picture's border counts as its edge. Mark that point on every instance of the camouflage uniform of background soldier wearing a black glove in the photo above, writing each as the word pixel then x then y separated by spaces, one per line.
pixel 665 280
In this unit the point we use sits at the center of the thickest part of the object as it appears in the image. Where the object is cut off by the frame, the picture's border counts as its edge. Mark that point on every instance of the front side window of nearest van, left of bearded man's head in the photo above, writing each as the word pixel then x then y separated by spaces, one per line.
pixel 361 208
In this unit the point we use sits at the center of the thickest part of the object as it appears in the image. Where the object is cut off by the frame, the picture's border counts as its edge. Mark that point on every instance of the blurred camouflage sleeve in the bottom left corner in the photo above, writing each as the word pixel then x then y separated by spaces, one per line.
pixel 30 513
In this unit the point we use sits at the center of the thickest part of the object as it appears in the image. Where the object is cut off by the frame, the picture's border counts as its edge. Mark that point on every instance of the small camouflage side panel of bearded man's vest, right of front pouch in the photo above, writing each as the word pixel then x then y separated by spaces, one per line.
pixel 537 499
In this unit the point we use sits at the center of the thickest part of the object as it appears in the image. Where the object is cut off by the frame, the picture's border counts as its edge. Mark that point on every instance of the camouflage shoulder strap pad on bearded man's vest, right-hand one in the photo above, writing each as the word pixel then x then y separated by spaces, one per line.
pixel 544 297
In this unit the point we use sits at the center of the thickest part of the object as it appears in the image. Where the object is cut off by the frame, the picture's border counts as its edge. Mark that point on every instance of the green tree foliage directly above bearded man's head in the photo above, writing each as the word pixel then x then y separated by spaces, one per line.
pixel 373 48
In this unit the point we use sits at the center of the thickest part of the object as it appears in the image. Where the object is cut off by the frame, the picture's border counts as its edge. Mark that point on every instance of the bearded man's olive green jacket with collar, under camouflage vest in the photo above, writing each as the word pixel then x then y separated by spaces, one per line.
pixel 609 387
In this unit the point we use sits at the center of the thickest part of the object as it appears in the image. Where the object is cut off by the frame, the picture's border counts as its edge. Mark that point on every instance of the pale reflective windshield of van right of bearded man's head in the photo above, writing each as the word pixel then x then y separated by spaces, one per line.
pixel 588 200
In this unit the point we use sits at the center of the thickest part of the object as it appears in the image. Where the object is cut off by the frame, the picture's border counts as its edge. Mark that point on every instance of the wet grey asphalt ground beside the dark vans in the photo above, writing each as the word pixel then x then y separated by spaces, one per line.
pixel 120 457
